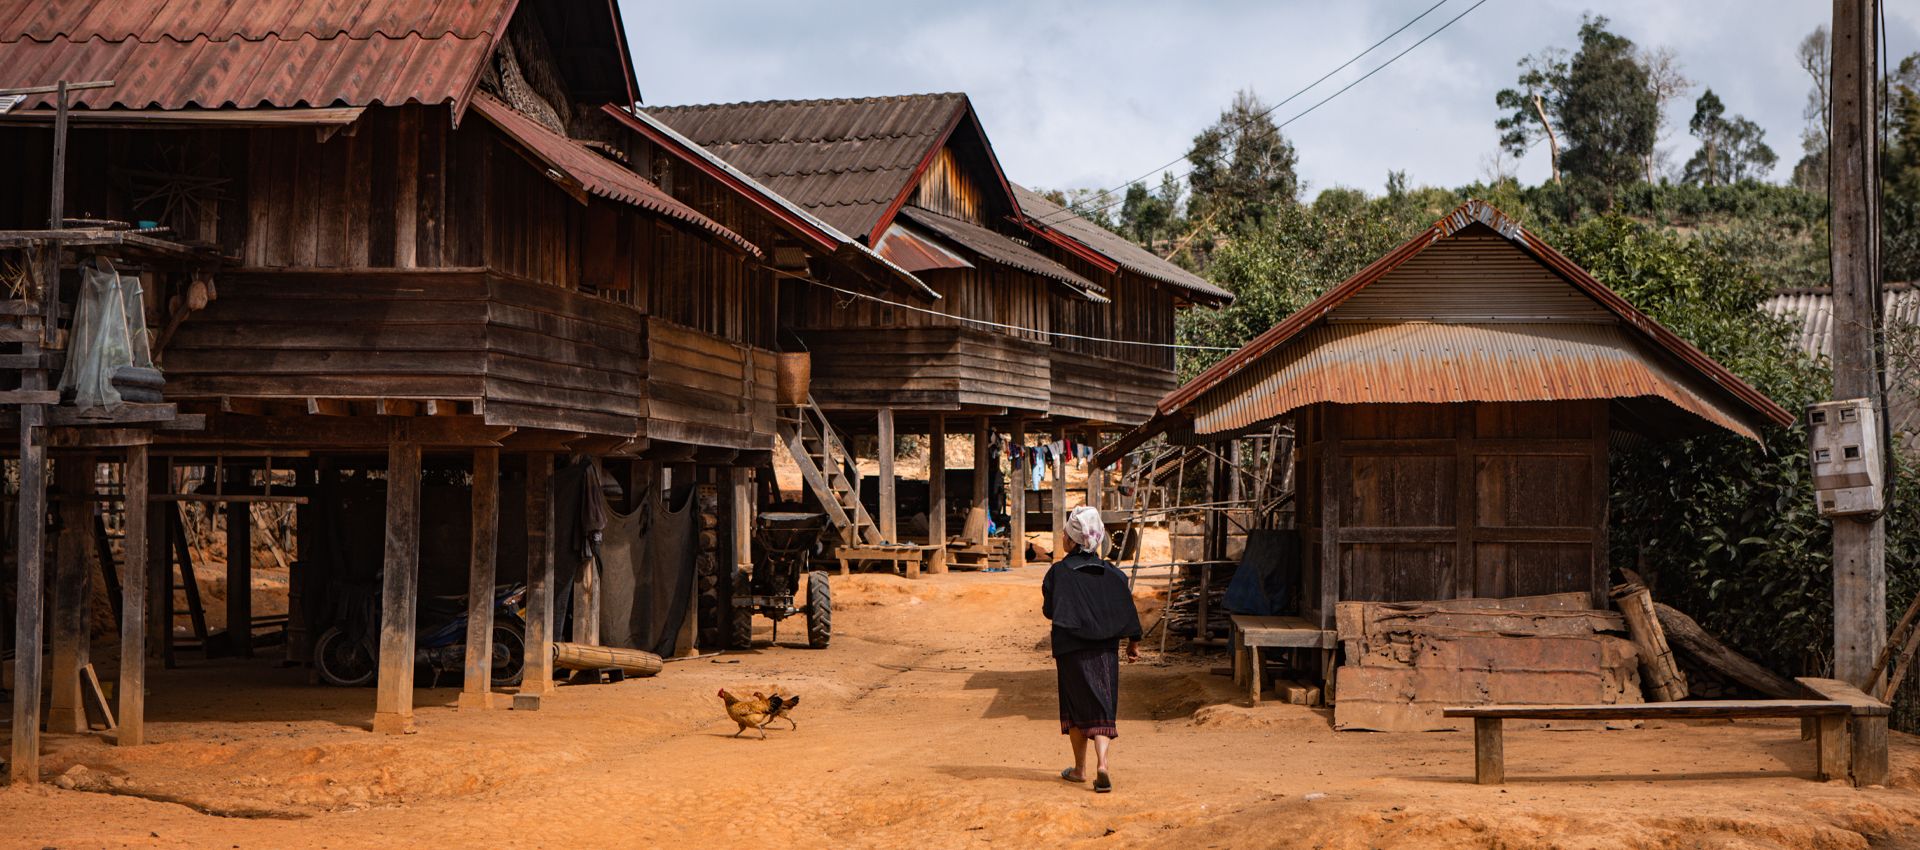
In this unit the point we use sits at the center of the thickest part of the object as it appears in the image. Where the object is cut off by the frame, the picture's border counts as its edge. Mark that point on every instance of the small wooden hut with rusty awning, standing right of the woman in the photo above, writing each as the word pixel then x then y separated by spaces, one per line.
pixel 1454 406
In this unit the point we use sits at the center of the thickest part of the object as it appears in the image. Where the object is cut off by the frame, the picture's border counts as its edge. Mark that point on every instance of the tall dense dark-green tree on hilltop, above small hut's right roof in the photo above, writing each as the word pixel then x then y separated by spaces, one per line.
pixel 1610 112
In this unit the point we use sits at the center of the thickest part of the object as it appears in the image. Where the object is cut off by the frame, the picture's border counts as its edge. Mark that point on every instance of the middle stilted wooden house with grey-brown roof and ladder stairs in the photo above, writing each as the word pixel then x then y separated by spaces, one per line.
pixel 1040 325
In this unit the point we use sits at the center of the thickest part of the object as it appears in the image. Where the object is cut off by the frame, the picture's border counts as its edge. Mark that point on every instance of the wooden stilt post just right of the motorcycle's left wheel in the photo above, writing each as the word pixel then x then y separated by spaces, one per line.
pixel 400 588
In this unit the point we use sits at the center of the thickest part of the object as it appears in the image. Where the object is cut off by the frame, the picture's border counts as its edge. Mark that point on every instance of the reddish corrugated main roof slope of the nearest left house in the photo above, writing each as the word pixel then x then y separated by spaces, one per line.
pixel 174 55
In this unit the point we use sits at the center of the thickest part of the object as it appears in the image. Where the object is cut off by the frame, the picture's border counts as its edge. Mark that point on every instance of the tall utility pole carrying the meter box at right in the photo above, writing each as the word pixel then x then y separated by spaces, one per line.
pixel 1854 162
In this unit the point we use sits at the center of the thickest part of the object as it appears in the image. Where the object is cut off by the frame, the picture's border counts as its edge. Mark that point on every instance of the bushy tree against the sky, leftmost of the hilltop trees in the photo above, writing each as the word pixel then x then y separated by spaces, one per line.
pixel 1243 168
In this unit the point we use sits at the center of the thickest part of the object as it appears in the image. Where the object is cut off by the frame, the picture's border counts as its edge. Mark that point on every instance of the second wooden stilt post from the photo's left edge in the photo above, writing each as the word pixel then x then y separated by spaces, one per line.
pixel 72 600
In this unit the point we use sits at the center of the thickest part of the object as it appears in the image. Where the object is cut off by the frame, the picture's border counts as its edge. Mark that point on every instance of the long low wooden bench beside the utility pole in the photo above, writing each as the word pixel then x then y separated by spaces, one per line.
pixel 1850 728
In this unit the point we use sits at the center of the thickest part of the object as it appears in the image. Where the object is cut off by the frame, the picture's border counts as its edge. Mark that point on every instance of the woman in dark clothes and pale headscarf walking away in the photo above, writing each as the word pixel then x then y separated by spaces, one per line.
pixel 1092 609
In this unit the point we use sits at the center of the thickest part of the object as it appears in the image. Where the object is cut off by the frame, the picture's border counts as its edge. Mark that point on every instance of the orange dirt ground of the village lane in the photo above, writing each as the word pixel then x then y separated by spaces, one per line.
pixel 928 724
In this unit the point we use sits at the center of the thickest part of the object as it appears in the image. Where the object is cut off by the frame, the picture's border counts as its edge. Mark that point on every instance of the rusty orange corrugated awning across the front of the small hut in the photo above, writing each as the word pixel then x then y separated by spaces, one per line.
pixel 1451 364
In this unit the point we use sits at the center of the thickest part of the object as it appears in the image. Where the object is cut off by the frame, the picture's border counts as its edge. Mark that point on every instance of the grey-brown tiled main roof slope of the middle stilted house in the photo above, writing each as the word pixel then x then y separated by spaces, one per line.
pixel 844 160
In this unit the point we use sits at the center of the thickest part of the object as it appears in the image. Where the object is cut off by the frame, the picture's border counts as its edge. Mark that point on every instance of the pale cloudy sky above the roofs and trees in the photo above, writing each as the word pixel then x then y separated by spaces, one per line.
pixel 1092 95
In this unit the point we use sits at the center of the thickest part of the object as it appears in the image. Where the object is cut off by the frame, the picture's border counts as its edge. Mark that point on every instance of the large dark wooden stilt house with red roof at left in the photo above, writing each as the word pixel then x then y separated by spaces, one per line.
pixel 375 243
